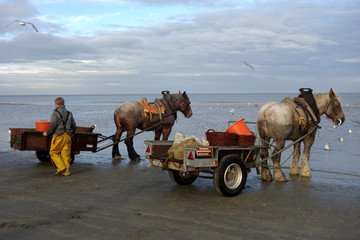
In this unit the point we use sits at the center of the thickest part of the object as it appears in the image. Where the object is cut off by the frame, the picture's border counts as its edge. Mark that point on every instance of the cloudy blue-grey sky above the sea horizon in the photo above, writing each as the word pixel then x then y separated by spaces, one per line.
pixel 198 46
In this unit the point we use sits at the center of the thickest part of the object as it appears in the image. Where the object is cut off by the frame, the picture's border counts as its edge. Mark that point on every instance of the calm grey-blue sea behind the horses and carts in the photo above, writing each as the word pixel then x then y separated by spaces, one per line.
pixel 210 111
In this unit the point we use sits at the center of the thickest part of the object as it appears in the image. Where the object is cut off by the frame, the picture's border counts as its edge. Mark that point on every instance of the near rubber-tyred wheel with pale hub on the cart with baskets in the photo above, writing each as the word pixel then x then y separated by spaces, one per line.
pixel 230 176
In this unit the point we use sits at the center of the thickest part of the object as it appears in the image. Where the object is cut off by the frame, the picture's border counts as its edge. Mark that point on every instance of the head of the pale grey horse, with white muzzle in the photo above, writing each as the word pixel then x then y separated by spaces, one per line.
pixel 334 110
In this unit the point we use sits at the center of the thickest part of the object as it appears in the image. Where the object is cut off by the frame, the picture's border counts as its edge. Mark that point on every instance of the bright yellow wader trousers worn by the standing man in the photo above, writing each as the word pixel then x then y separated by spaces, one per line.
pixel 60 152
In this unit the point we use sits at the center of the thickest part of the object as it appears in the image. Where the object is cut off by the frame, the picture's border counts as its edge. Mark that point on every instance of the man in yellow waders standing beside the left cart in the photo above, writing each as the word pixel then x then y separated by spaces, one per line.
pixel 62 127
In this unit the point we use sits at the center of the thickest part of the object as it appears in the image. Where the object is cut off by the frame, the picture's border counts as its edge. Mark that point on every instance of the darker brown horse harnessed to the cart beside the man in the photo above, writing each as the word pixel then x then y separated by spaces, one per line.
pixel 130 116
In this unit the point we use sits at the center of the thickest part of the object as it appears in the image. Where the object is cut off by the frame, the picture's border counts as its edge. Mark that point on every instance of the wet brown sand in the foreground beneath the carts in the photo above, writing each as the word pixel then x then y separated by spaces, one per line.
pixel 126 200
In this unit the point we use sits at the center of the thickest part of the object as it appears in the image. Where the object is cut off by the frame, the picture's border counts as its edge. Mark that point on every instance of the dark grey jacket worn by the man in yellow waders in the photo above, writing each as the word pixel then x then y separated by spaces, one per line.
pixel 58 117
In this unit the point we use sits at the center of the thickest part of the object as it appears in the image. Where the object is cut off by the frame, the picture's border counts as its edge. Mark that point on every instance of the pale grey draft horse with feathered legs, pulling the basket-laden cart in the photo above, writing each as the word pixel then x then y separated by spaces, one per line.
pixel 280 122
